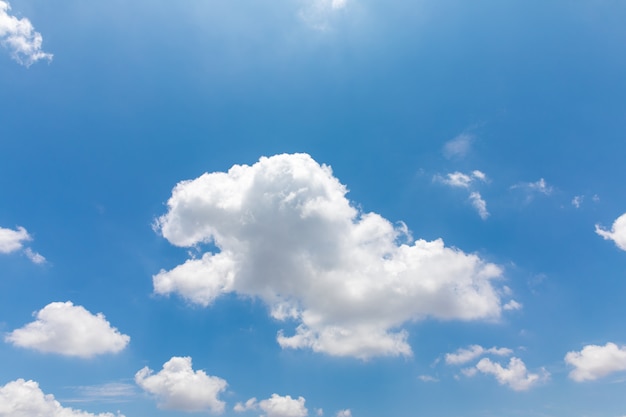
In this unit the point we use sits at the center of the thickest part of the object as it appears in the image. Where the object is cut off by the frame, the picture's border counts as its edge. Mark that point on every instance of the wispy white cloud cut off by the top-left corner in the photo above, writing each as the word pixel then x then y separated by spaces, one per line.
pixel 20 38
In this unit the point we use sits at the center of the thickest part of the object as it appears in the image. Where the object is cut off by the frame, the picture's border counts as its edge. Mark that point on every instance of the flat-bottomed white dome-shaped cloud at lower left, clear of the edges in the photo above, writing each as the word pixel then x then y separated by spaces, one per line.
pixel 70 330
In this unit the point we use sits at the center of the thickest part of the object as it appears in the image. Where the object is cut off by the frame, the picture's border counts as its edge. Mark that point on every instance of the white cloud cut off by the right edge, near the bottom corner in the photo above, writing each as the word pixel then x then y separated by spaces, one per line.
pixel 594 361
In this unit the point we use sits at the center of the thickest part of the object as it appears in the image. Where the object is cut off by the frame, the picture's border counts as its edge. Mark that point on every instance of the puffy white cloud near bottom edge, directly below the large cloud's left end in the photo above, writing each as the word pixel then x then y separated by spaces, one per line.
pixel 178 387
